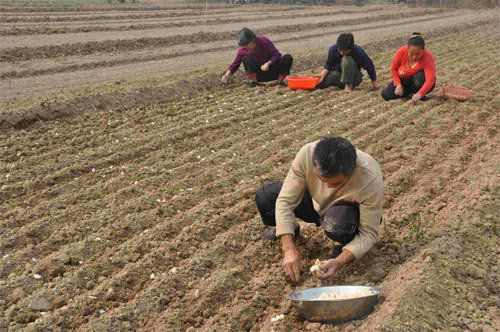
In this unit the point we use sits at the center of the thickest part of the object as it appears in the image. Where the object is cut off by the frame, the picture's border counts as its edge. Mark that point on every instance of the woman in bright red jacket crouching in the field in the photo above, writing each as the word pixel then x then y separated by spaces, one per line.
pixel 413 71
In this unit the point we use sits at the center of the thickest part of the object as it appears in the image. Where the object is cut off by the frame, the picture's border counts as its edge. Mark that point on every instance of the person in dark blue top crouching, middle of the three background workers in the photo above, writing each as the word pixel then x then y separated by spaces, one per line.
pixel 343 65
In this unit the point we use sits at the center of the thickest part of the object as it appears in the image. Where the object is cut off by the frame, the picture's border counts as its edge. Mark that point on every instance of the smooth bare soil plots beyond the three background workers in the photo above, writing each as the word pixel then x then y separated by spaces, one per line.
pixel 38 60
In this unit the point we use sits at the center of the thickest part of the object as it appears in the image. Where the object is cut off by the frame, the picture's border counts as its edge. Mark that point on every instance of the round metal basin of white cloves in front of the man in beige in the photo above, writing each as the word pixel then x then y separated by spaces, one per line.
pixel 354 302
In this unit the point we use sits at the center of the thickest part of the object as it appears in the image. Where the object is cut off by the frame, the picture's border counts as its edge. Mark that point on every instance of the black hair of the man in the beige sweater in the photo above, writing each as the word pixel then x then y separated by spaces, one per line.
pixel 334 156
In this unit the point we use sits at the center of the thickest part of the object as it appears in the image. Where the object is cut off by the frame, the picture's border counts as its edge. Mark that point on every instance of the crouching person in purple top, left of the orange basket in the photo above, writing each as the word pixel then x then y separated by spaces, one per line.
pixel 261 59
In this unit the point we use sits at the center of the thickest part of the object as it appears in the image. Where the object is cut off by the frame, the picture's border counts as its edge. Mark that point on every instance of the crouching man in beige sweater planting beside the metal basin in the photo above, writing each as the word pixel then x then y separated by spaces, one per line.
pixel 336 187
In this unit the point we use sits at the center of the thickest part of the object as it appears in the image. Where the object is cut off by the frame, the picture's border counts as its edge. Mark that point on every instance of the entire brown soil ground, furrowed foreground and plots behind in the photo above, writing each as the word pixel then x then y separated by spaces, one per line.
pixel 126 201
